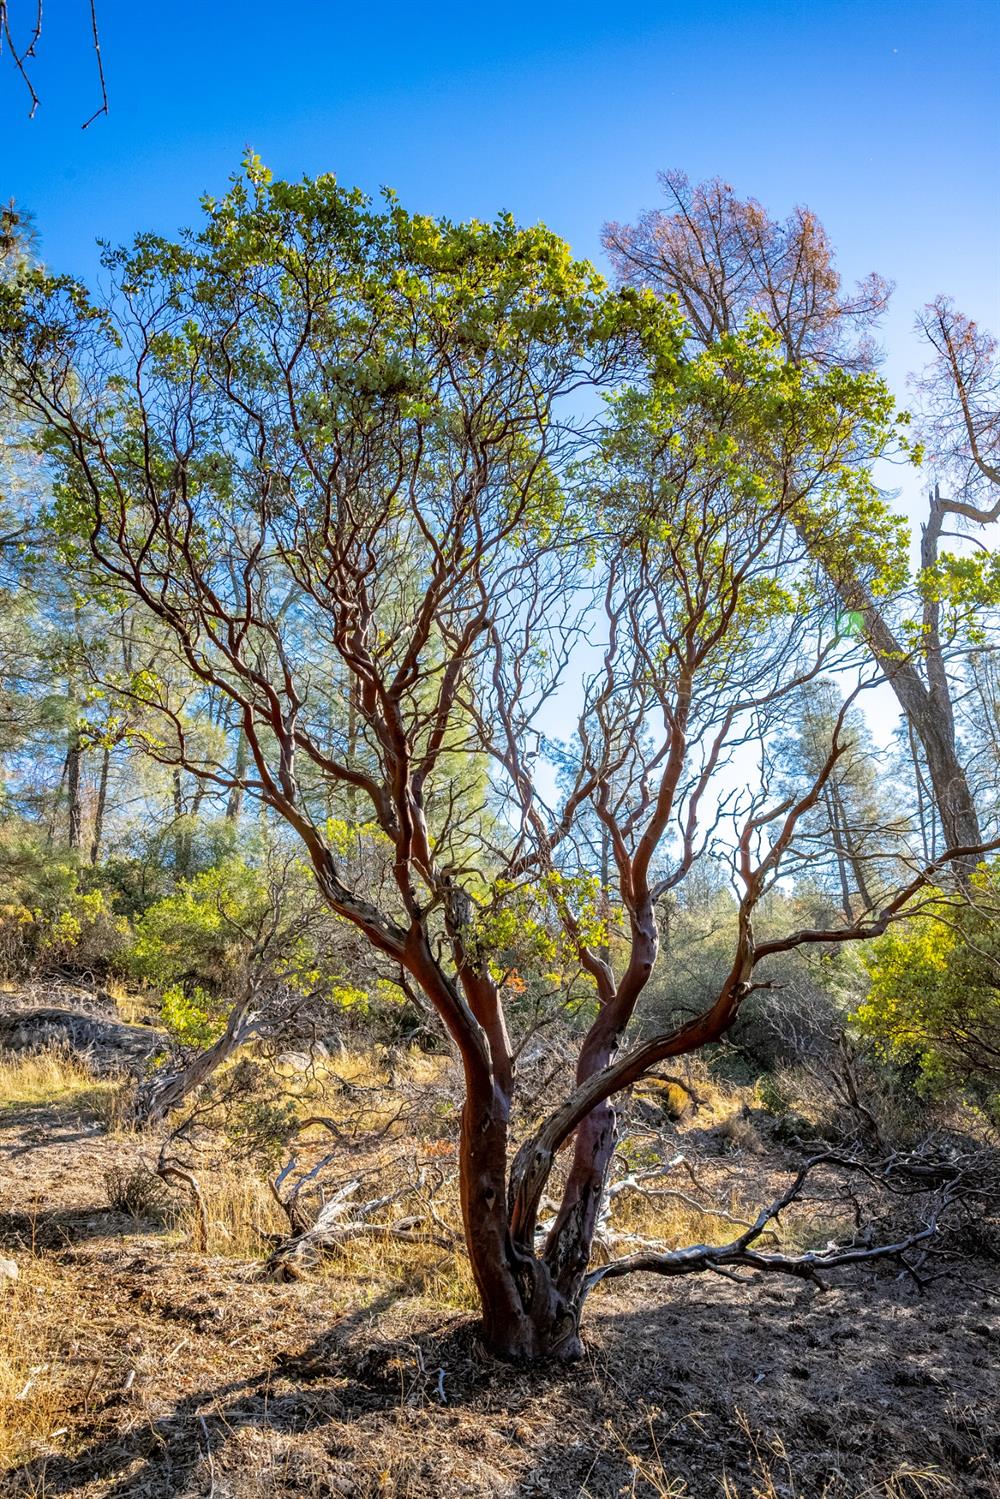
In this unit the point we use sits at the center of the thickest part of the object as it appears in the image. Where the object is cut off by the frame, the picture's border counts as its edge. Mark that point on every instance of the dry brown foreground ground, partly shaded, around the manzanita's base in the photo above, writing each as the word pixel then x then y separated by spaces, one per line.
pixel 151 1371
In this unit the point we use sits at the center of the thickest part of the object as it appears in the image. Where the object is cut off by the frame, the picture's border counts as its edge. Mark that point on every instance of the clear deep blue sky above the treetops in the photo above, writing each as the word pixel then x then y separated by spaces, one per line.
pixel 881 116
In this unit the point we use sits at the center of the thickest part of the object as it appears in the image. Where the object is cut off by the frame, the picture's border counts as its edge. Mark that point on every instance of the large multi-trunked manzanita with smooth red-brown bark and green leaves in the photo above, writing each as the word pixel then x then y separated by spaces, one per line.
pixel 353 455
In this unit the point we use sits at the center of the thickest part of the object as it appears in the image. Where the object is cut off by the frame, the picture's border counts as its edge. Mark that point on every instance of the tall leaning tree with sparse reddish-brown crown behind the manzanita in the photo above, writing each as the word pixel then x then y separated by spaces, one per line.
pixel 723 257
